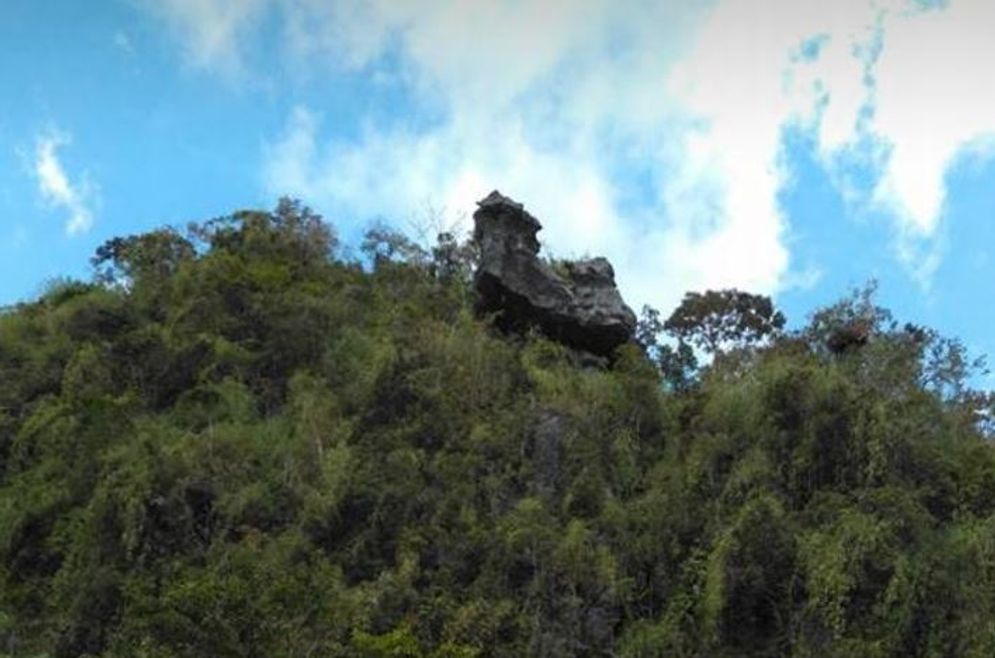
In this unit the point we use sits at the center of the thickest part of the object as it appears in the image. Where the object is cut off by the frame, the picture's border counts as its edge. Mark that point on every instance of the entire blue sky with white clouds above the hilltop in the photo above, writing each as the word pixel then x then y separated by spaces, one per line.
pixel 790 147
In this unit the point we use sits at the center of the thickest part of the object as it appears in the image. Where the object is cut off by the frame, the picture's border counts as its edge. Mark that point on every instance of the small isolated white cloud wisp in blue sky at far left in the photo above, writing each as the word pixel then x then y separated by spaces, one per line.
pixel 55 187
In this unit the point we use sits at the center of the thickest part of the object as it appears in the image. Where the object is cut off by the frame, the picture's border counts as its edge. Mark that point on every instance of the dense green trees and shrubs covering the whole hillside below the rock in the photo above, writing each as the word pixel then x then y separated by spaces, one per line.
pixel 236 442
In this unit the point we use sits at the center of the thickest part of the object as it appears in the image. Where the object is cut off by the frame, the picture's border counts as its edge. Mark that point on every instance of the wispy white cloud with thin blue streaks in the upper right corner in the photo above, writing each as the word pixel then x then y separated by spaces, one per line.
pixel 901 92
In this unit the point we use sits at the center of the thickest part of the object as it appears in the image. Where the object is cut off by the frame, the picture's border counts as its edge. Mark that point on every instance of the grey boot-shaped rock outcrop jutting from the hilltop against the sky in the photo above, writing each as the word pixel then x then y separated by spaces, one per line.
pixel 582 308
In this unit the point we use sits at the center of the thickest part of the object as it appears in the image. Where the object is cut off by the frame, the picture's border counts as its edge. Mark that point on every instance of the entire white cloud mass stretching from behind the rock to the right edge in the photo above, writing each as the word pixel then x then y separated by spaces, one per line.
pixel 558 103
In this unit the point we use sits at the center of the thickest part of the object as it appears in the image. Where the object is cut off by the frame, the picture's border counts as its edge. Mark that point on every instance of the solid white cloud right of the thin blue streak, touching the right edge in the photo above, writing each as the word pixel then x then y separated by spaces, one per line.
pixel 933 97
